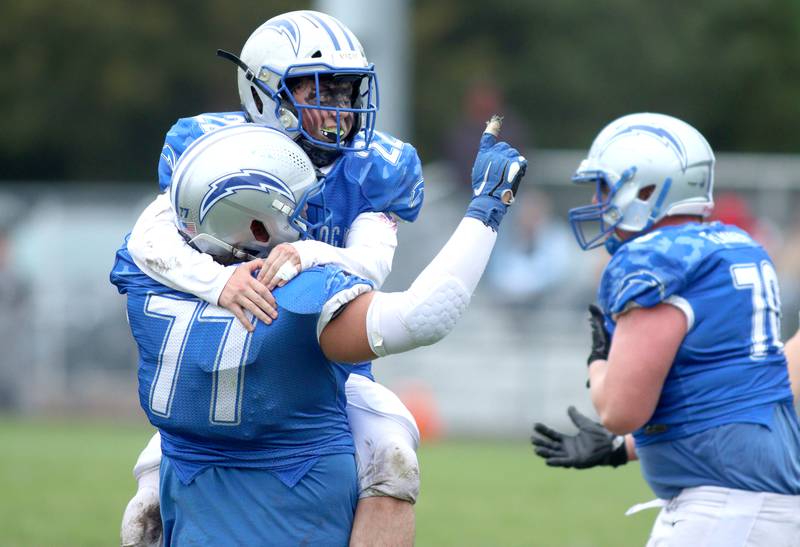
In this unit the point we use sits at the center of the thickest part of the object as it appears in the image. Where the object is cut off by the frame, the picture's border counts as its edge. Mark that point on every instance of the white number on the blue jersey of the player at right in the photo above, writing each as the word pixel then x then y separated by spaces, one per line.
pixel 763 282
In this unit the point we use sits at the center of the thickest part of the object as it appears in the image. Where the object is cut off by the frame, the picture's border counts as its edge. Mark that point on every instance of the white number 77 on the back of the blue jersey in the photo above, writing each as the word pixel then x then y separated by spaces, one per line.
pixel 228 378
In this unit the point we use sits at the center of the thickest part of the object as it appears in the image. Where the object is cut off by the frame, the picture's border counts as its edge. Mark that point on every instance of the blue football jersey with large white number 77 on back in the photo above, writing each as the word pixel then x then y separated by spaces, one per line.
pixel 222 396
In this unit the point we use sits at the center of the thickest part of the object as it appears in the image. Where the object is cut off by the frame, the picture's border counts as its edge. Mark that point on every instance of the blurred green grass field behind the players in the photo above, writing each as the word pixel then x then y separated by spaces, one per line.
pixel 66 483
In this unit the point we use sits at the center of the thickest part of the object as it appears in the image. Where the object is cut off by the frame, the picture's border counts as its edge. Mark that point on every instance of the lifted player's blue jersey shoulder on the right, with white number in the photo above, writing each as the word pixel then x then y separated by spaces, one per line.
pixel 389 173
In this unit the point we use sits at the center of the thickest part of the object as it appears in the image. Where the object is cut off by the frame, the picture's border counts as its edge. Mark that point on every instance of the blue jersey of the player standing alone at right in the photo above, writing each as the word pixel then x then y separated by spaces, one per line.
pixel 730 367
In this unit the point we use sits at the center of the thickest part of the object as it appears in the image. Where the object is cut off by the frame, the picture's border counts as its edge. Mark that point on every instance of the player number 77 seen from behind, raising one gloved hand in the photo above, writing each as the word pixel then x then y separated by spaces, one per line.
pixel 254 433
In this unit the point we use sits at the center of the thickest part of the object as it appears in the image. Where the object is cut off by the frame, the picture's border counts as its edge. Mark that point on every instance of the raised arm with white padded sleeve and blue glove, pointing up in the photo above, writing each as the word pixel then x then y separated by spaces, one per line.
pixel 379 324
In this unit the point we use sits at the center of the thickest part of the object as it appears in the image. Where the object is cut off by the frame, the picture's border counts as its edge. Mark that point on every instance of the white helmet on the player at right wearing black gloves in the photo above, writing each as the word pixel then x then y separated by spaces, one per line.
pixel 645 167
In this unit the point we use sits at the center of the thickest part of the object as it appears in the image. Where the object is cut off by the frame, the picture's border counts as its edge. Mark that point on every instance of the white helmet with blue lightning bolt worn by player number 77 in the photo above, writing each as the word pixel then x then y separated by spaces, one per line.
pixel 240 190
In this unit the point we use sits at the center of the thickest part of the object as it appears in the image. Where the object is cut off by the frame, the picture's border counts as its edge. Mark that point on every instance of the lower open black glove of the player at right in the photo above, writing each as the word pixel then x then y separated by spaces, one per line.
pixel 593 445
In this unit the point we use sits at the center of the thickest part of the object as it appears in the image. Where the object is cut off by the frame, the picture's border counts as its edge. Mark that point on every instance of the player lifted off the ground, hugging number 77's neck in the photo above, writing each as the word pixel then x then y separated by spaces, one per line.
pixel 305 73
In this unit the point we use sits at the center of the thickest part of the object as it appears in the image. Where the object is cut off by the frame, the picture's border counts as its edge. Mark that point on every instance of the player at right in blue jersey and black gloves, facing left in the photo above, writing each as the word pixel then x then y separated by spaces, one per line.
pixel 686 358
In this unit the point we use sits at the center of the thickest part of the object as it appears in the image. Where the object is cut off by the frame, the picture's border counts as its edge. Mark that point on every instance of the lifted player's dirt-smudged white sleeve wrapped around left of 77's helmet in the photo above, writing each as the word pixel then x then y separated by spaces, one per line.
pixel 158 250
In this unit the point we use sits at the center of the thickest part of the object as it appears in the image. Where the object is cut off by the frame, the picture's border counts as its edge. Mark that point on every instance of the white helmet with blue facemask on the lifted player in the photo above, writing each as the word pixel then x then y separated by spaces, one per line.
pixel 306 44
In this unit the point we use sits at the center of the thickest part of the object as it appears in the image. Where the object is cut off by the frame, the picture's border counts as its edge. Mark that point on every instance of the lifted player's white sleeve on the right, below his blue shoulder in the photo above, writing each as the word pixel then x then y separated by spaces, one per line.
pixel 368 252
